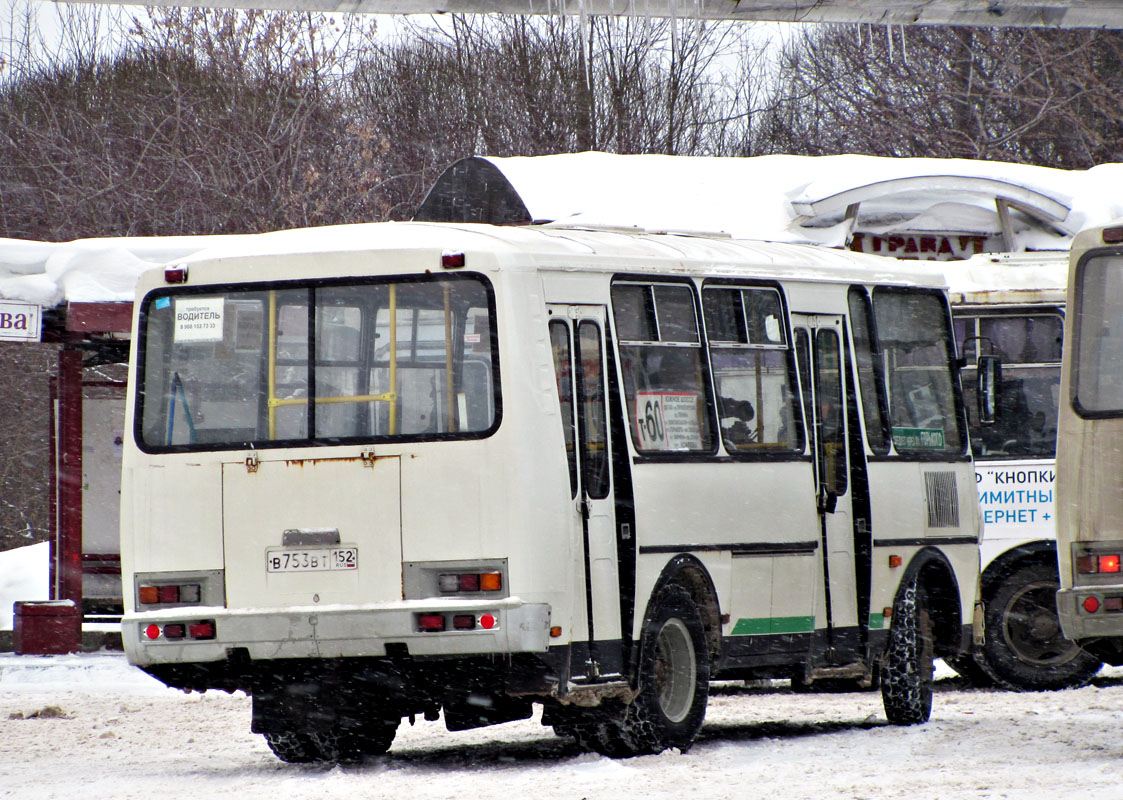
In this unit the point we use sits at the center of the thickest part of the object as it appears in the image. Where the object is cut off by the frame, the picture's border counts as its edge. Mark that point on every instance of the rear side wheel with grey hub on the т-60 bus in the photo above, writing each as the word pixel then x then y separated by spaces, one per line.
pixel 673 683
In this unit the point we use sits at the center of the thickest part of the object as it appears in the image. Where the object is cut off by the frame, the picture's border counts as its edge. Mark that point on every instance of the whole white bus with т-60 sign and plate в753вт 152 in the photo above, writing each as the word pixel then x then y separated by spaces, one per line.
pixel 392 470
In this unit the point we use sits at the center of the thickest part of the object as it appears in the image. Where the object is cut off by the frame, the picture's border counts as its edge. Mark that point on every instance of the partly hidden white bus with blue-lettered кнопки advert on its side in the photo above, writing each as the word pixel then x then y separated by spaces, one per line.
pixel 1011 306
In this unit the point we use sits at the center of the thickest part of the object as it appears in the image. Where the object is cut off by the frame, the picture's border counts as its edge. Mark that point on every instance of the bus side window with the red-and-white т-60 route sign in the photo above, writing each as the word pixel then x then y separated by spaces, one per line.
pixel 664 369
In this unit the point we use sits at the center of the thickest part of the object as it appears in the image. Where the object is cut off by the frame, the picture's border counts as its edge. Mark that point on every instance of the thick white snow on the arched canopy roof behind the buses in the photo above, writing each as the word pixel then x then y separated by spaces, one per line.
pixel 787 198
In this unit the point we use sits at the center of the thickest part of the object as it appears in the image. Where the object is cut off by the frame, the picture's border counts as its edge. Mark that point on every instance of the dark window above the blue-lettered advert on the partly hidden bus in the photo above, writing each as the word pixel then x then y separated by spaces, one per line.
pixel 1029 346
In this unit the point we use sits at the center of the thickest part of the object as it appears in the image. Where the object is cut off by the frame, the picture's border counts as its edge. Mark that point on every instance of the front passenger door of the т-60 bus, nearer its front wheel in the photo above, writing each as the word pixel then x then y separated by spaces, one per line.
pixel 826 393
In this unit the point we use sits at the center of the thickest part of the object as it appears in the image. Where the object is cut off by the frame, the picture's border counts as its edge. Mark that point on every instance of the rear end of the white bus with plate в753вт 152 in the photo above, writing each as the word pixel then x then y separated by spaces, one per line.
pixel 331 533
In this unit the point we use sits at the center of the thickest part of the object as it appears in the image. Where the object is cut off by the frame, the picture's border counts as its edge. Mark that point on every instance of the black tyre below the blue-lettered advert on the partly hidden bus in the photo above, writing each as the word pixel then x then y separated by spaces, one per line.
pixel 1025 649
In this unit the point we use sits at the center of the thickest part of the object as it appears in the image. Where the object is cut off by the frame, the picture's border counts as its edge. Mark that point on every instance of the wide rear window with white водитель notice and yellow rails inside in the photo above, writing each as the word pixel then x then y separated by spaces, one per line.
pixel 392 360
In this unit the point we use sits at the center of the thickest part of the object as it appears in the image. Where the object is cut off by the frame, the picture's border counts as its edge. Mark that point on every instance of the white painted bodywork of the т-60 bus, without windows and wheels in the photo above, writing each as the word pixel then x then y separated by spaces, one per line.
pixel 427 503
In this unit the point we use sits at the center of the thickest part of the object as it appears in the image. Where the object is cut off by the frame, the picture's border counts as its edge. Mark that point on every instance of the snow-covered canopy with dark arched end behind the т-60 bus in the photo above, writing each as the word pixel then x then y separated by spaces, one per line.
pixel 839 202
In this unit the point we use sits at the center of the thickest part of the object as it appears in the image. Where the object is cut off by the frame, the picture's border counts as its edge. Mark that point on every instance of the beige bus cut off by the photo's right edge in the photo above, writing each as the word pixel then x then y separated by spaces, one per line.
pixel 1090 448
